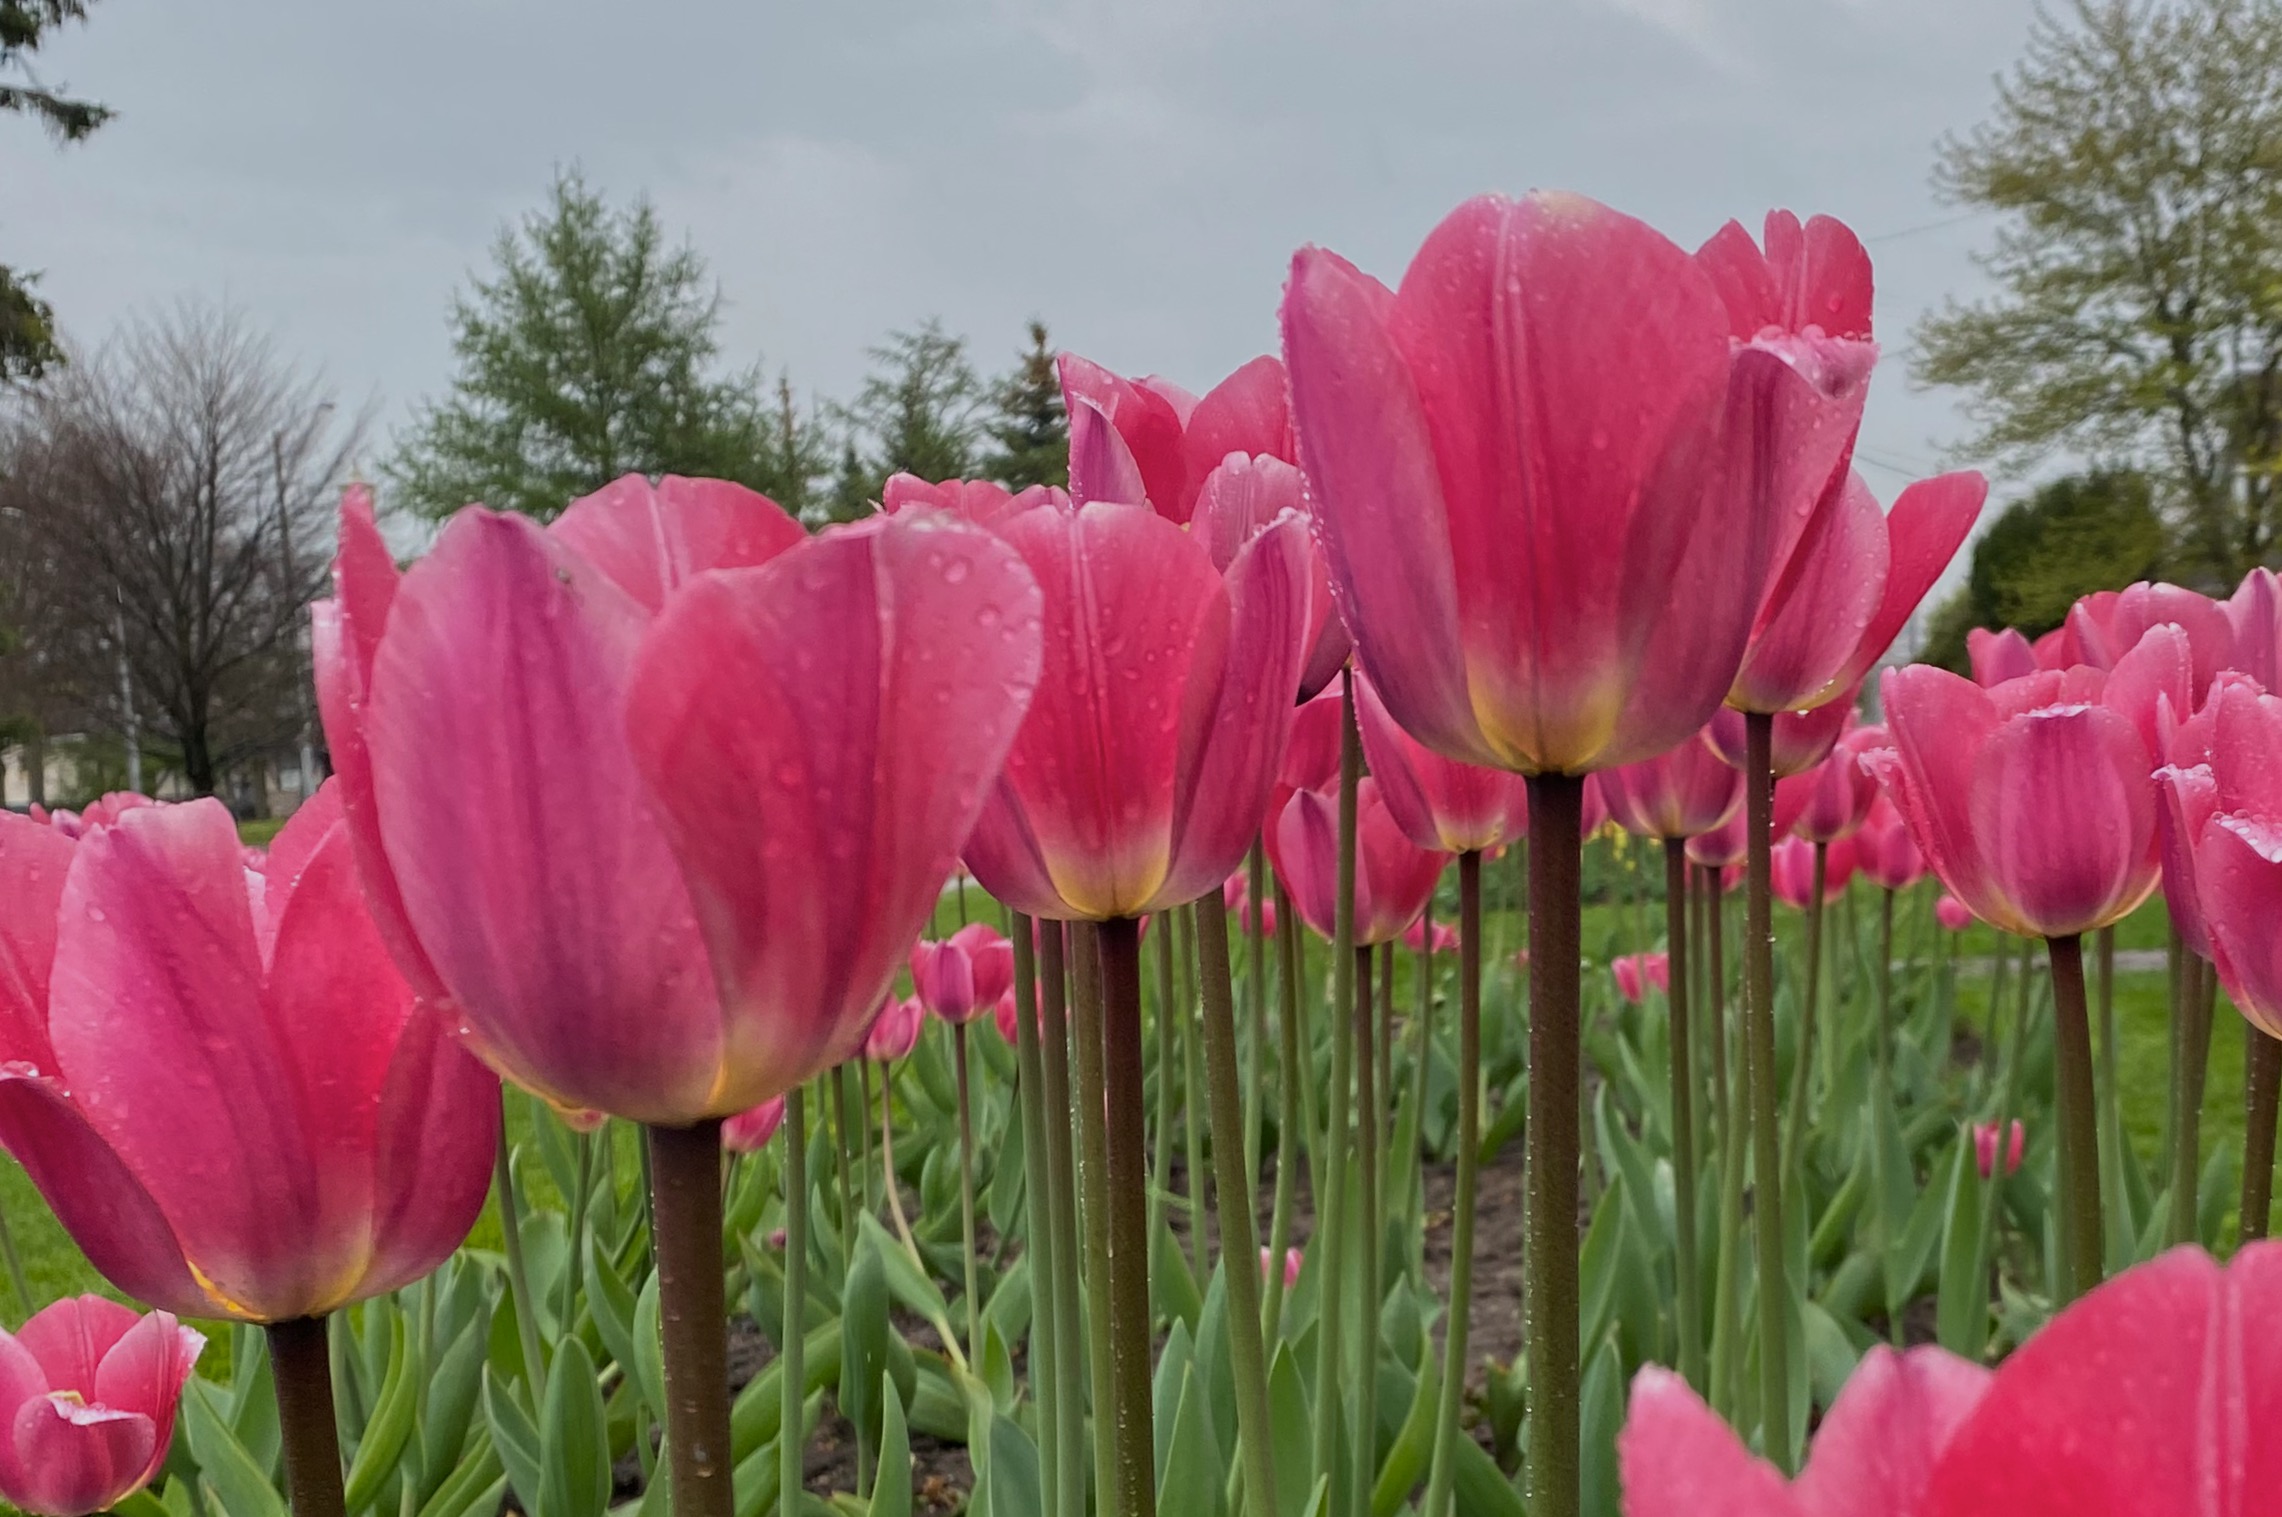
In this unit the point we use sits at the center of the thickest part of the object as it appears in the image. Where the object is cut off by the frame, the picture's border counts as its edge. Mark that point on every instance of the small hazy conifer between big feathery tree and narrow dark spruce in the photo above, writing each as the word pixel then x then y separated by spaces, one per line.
pixel 921 412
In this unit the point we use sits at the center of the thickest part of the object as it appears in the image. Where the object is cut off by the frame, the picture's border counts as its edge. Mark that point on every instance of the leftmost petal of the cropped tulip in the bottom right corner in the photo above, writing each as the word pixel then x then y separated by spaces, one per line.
pixel 1681 1461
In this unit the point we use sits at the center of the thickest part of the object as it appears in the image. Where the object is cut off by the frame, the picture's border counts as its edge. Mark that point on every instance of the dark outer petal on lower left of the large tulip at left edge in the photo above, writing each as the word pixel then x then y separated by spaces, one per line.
pixel 95 1196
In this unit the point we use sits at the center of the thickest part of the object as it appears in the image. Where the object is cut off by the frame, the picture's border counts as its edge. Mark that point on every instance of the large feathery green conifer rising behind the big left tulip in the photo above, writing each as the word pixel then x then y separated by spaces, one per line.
pixel 590 355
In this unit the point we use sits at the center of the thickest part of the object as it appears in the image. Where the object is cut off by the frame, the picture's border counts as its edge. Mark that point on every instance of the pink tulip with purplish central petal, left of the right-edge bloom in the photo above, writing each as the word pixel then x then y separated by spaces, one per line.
pixel 2032 800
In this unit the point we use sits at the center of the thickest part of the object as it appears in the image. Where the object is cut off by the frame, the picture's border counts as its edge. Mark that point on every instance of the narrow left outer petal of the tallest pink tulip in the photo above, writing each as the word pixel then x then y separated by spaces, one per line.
pixel 1379 503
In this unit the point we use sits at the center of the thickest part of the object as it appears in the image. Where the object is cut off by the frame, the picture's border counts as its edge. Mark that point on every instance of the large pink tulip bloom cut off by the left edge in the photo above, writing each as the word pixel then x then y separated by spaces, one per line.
pixel 220 1080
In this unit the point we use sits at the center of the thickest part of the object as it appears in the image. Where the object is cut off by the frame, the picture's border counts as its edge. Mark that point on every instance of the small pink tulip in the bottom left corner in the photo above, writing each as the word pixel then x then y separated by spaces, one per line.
pixel 88 1397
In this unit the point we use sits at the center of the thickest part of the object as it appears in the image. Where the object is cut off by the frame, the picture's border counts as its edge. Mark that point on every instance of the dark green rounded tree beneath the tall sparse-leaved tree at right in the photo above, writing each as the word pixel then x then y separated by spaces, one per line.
pixel 2073 537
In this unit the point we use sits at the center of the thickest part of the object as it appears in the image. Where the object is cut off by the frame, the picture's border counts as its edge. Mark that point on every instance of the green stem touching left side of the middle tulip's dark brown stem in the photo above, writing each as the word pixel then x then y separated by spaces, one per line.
pixel 1090 1082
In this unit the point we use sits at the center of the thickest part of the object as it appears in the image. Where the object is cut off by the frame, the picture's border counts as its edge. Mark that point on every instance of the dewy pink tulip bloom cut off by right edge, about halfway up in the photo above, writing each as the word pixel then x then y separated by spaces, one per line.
pixel 2222 822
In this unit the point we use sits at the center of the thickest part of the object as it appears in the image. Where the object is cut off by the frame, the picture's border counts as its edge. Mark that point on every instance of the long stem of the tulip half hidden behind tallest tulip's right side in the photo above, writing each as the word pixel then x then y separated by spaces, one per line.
pixel 1761 1069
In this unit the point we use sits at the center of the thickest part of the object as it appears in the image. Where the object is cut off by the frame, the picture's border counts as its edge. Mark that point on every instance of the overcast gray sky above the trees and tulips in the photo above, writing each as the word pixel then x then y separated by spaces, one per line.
pixel 1133 172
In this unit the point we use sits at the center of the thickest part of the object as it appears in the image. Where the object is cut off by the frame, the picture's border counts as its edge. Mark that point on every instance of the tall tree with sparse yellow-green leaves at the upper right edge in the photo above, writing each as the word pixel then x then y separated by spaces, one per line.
pixel 2135 161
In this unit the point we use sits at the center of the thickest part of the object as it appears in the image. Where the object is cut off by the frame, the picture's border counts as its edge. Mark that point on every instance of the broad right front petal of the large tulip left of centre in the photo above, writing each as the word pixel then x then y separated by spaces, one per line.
pixel 818 736
